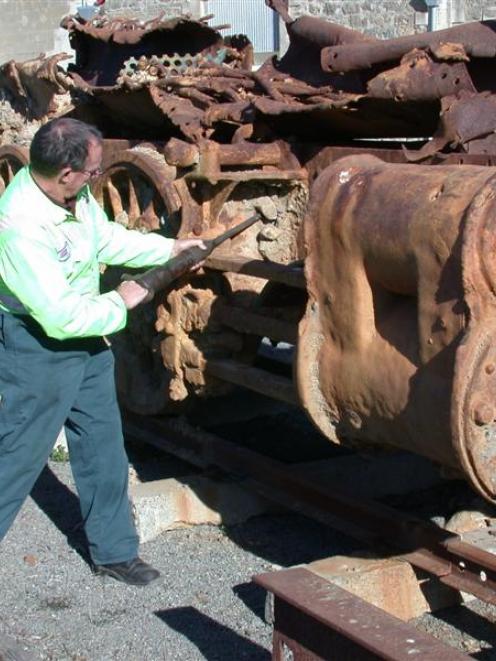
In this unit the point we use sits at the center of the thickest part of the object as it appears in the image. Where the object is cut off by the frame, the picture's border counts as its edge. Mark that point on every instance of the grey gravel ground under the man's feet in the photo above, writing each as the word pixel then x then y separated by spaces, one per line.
pixel 203 607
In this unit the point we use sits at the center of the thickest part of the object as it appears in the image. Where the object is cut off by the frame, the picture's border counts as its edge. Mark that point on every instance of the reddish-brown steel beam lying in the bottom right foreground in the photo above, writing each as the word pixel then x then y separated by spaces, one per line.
pixel 315 619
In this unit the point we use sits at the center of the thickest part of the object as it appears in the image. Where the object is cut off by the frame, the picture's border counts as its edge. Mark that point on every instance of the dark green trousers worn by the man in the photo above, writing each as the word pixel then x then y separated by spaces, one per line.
pixel 44 384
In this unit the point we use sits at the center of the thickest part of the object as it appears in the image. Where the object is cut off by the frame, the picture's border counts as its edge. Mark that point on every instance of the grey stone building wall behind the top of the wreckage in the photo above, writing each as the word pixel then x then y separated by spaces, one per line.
pixel 29 27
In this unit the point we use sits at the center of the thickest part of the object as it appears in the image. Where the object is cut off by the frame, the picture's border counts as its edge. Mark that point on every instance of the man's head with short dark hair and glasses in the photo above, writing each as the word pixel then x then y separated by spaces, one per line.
pixel 66 153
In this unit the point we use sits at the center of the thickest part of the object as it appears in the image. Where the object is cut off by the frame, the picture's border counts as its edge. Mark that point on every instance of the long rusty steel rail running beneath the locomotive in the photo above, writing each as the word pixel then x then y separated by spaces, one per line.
pixel 436 551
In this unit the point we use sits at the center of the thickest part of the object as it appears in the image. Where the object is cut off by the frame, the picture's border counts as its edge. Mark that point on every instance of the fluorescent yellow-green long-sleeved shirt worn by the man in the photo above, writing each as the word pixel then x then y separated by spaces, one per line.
pixel 49 260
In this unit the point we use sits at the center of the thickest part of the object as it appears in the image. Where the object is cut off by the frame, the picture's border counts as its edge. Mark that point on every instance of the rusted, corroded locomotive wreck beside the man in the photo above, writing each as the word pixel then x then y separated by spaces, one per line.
pixel 374 261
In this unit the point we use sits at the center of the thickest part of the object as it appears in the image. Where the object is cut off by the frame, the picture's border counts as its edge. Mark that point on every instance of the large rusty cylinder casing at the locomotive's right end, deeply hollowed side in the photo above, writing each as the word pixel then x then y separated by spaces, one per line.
pixel 398 343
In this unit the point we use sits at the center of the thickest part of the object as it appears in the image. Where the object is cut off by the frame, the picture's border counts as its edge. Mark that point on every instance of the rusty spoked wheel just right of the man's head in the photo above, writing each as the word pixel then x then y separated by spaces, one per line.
pixel 136 189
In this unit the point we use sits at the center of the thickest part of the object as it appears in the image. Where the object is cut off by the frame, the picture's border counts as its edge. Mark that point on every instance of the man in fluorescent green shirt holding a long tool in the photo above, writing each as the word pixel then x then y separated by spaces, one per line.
pixel 55 367
